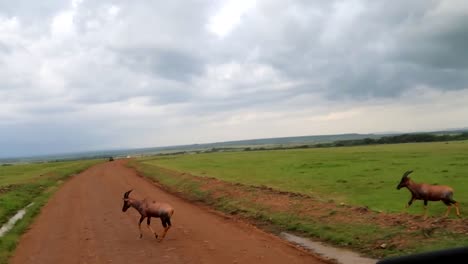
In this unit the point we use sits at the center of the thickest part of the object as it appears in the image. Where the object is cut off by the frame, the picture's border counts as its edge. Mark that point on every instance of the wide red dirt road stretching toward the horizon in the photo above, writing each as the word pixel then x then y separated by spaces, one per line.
pixel 83 223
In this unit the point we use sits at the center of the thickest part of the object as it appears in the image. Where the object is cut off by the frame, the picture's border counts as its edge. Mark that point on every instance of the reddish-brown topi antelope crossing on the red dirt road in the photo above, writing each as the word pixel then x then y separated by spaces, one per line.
pixel 149 209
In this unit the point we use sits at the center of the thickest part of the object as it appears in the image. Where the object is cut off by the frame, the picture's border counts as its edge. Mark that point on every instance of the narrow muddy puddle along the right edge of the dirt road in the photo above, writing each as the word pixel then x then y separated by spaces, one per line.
pixel 343 256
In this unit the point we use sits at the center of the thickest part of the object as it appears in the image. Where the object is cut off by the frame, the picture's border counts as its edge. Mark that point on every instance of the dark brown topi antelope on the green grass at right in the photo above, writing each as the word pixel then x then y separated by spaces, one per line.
pixel 427 192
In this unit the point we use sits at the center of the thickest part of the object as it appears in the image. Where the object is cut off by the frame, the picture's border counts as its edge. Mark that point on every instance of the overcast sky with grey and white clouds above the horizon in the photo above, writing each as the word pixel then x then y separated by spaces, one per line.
pixel 89 75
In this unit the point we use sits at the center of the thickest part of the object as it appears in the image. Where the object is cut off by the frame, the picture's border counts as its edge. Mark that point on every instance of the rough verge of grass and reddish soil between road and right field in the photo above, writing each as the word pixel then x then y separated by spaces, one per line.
pixel 372 233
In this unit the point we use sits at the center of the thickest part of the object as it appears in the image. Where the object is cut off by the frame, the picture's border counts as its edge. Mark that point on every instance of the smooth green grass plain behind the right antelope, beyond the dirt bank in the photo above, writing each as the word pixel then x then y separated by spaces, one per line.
pixel 363 176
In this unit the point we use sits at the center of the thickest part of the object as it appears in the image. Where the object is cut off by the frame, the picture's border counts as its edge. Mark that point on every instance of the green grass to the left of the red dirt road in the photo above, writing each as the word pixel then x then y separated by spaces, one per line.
pixel 23 184
